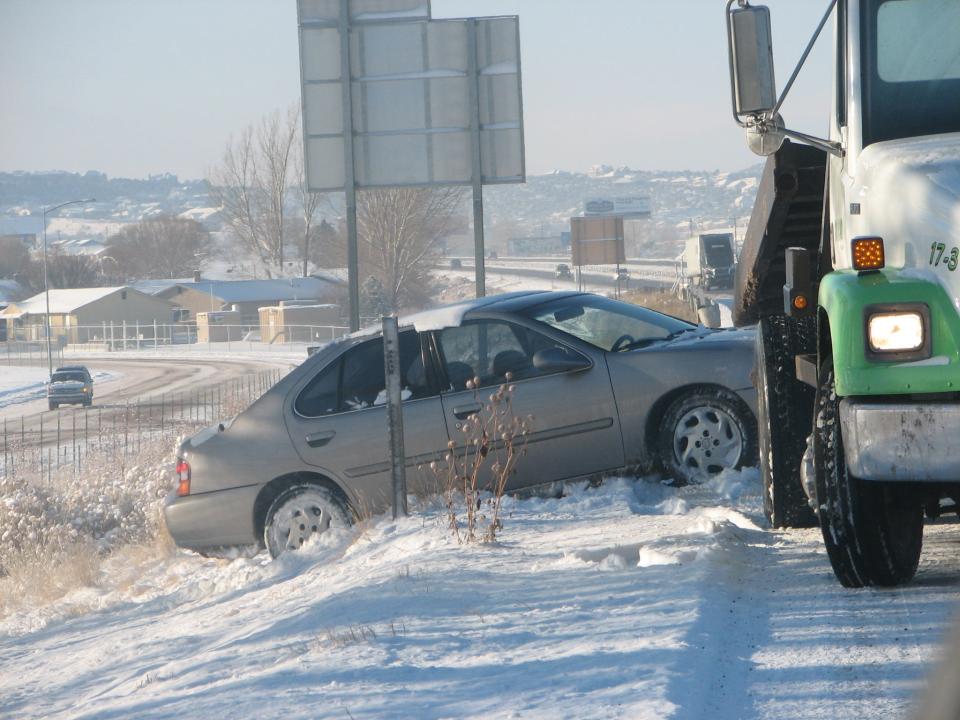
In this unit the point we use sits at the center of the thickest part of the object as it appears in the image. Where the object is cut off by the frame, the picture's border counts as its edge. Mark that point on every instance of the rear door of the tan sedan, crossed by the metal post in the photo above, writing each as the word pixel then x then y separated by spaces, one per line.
pixel 339 420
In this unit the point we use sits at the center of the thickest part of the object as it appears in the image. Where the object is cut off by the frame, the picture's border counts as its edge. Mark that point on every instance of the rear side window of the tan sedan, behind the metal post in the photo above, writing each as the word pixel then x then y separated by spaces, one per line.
pixel 356 380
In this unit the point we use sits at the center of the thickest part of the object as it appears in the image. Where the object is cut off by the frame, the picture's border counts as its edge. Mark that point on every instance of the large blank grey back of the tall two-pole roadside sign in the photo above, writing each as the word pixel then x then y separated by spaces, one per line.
pixel 412 91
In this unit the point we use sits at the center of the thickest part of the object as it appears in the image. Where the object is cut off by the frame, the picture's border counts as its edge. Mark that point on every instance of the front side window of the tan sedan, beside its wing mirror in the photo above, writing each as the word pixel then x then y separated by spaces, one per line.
pixel 488 351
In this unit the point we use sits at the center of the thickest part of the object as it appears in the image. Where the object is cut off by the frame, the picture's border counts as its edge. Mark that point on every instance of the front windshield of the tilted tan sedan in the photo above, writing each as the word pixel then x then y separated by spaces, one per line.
pixel 608 324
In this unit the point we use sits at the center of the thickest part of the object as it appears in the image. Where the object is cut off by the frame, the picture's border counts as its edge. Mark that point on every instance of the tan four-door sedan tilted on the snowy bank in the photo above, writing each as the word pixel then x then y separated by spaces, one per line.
pixel 609 386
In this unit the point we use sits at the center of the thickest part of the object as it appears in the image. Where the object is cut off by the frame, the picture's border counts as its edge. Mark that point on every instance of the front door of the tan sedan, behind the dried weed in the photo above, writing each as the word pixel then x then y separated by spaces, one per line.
pixel 574 429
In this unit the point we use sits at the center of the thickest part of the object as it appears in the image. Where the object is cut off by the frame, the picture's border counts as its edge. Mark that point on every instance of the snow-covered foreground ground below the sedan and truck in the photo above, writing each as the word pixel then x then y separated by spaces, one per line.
pixel 632 600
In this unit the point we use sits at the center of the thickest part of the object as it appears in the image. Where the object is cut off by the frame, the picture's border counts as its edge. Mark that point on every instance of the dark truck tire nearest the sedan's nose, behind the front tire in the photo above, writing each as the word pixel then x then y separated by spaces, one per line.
pixel 784 418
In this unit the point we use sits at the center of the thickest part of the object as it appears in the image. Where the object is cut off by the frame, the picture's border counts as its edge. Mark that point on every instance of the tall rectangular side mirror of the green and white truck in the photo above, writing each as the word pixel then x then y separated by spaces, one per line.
pixel 751 60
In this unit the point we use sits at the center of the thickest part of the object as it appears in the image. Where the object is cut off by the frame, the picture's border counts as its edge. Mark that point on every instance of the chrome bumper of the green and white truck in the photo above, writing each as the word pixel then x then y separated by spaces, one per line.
pixel 901 441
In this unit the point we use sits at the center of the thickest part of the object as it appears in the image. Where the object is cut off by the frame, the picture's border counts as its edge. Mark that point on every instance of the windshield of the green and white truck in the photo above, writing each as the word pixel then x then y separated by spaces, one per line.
pixel 911 68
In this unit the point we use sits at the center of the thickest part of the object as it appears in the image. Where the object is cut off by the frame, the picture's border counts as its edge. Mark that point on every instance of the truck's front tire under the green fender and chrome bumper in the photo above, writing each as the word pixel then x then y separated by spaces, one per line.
pixel 873 530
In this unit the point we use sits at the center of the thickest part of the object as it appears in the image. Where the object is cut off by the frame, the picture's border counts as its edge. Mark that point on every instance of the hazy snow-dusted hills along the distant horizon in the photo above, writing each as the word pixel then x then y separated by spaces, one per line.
pixel 544 204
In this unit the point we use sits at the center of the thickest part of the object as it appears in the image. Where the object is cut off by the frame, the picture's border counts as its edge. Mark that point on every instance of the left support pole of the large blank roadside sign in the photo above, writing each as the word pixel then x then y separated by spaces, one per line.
pixel 349 177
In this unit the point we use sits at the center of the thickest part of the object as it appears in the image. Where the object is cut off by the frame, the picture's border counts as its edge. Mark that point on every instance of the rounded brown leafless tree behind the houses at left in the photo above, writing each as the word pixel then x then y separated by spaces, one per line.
pixel 159 247
